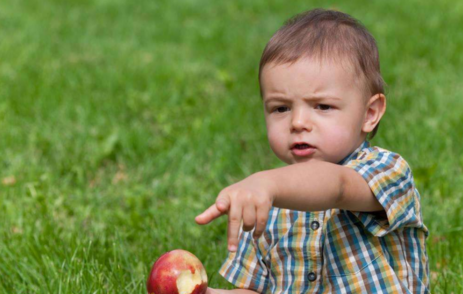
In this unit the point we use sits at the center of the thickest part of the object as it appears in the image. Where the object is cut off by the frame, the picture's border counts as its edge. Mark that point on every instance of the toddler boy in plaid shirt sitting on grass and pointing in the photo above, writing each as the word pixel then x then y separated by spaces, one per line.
pixel 342 216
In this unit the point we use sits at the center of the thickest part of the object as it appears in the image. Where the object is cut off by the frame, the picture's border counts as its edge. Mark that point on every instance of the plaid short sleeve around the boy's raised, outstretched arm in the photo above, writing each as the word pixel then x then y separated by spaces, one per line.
pixel 390 179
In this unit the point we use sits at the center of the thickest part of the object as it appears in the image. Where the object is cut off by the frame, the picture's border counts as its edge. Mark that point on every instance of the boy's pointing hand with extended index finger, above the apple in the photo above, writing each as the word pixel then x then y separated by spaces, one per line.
pixel 249 201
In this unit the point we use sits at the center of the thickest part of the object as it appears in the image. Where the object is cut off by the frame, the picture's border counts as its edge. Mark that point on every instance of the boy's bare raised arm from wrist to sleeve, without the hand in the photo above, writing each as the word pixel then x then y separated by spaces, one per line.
pixel 319 185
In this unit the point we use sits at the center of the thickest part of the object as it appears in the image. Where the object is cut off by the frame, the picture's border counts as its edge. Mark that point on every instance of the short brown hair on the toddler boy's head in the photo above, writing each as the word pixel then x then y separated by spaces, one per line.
pixel 323 33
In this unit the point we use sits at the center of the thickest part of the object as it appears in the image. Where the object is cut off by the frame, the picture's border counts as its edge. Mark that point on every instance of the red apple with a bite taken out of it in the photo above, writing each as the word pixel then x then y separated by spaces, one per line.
pixel 177 272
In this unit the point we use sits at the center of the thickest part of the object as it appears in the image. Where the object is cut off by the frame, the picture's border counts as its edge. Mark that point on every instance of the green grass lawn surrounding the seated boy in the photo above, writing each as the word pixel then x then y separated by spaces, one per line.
pixel 122 120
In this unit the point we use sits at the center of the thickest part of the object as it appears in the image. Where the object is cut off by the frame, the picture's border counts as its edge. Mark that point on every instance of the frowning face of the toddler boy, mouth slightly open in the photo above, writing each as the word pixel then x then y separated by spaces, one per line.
pixel 318 103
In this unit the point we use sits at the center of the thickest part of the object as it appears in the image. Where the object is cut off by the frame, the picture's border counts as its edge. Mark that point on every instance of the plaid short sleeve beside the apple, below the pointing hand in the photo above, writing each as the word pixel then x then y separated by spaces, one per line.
pixel 245 268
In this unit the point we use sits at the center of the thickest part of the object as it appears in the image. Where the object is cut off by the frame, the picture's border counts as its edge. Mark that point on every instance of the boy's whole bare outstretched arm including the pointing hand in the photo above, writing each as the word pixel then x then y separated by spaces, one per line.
pixel 309 186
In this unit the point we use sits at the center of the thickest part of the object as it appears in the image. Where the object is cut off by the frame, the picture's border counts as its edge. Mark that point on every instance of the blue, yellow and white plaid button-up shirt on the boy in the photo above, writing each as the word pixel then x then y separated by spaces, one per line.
pixel 339 251
